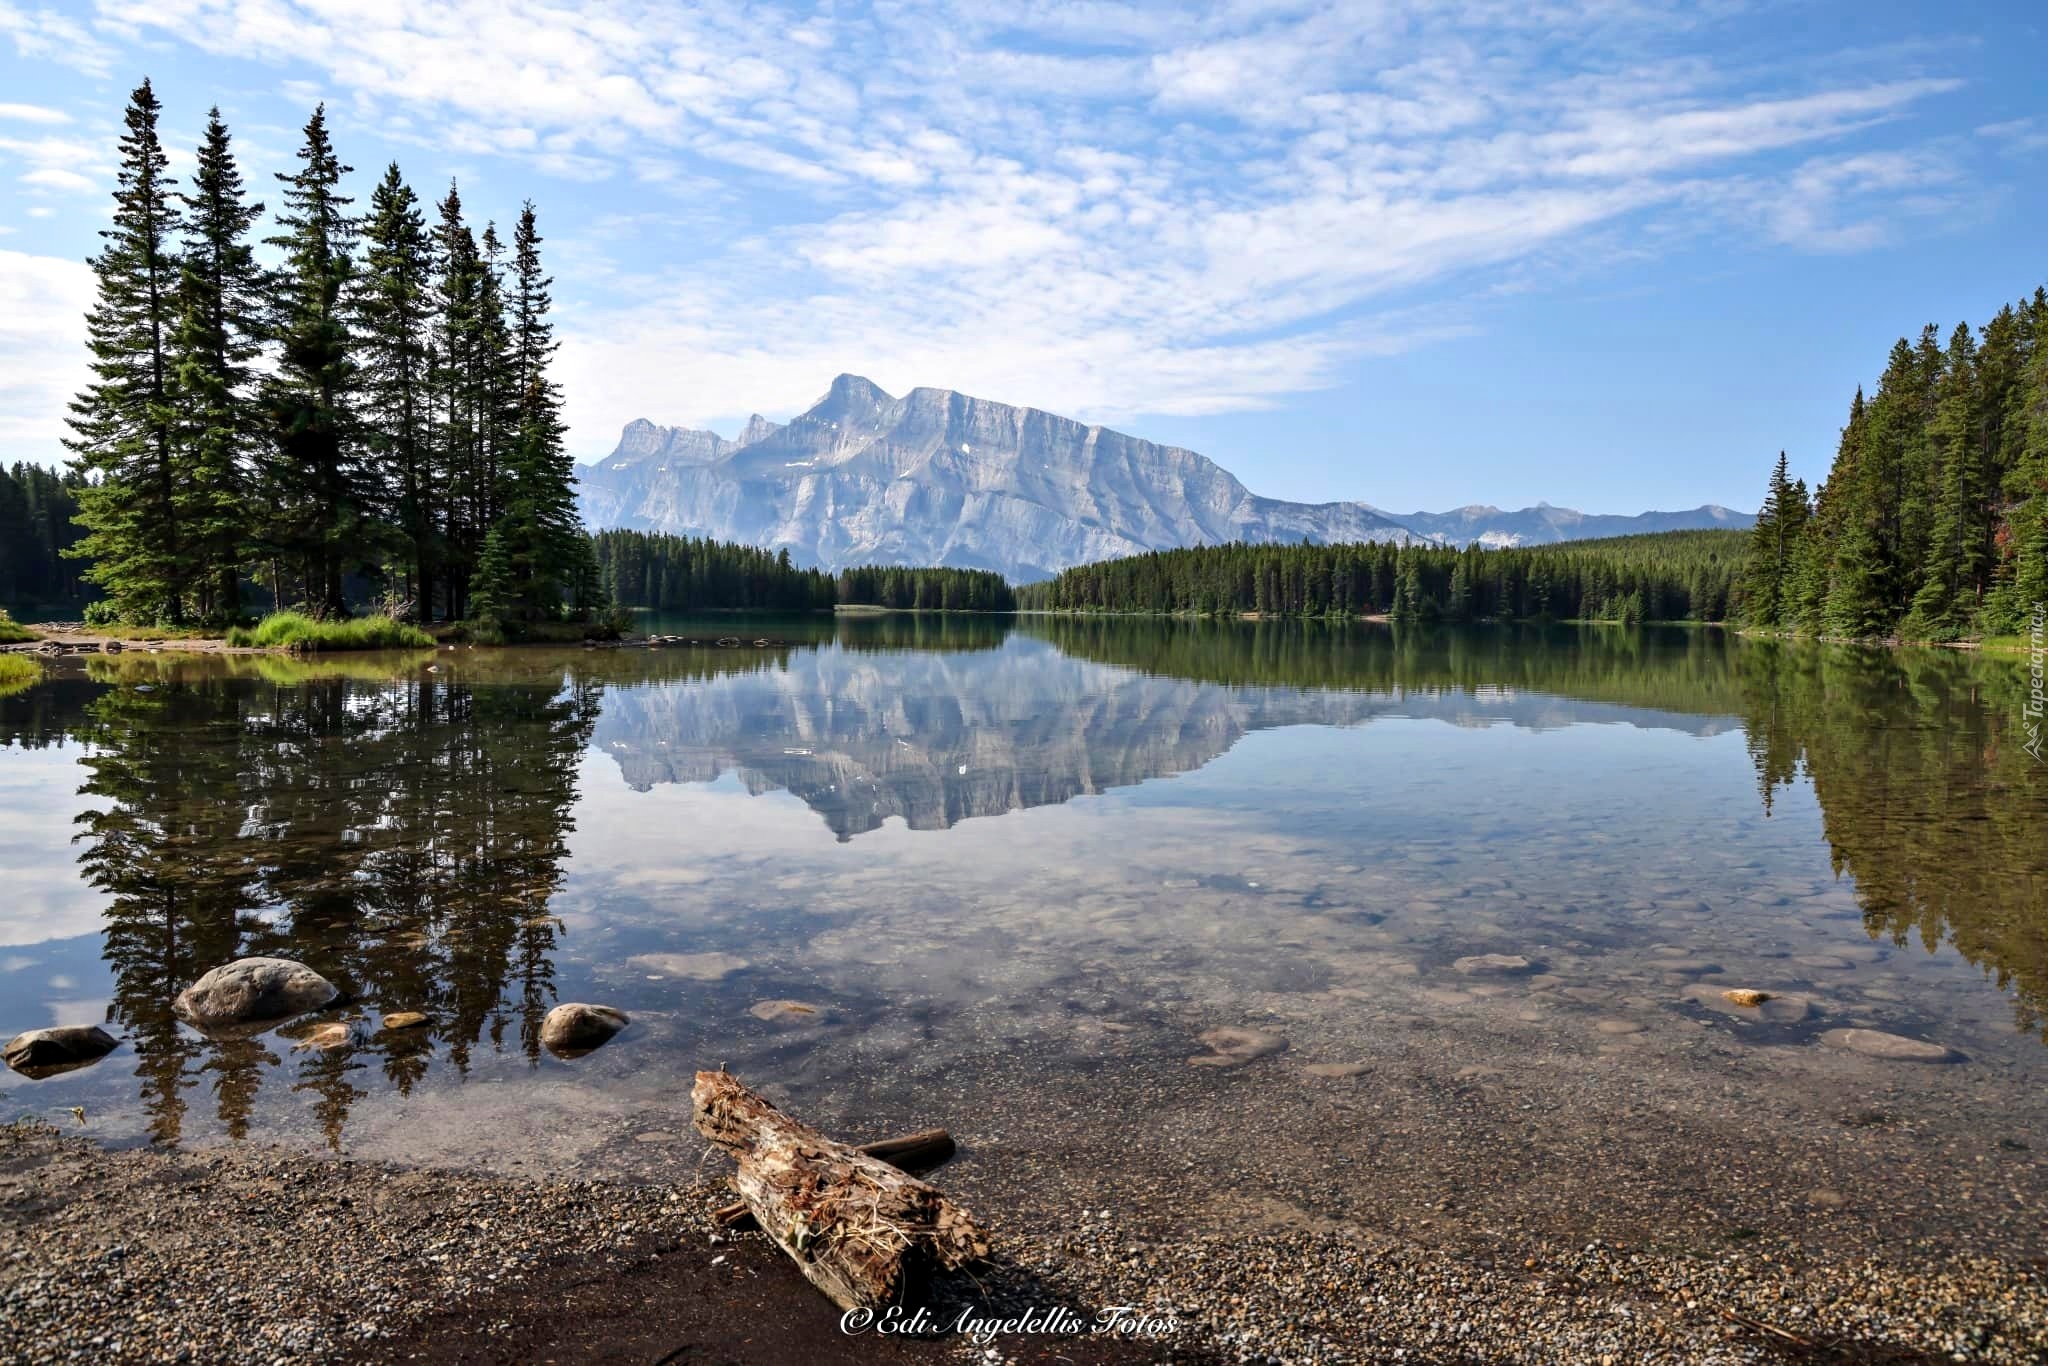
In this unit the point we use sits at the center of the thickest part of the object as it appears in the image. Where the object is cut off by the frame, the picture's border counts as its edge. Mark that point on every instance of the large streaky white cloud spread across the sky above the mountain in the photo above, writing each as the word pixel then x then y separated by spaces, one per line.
pixel 1109 208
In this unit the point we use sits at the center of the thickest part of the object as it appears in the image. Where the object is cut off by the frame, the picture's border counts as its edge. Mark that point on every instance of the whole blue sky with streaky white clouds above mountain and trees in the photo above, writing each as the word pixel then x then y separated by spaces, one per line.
pixel 1603 253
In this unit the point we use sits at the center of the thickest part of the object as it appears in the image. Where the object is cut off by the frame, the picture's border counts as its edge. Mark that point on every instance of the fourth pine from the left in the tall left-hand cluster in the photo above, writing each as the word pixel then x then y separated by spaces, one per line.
pixel 398 353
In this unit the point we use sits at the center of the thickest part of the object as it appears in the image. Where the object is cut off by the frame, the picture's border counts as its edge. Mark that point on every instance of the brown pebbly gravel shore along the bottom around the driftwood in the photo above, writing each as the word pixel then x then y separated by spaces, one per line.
pixel 263 1254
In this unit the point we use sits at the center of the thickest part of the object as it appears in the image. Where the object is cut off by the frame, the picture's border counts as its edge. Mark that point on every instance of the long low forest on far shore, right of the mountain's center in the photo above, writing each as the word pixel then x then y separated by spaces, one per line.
pixel 1672 577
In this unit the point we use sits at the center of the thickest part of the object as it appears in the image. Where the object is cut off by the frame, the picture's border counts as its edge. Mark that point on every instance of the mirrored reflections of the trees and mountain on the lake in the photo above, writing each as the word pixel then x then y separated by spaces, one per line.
pixel 400 824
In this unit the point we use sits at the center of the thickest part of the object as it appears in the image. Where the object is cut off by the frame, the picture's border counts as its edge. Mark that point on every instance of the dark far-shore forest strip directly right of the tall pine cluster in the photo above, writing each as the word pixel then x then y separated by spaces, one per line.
pixel 685 574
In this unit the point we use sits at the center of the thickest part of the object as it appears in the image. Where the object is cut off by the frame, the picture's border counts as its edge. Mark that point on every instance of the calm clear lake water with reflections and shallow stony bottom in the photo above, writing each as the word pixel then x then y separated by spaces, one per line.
pixel 1019 869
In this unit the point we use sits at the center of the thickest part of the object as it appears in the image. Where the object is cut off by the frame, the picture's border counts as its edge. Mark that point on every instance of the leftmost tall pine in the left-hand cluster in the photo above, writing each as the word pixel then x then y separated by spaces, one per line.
pixel 124 423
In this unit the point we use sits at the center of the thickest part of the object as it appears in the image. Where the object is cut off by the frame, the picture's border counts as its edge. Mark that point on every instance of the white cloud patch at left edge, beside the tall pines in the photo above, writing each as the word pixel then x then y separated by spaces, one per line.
pixel 42 351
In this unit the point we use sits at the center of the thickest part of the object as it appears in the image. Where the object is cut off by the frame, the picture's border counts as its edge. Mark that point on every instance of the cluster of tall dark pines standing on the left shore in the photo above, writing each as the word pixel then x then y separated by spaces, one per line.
pixel 366 411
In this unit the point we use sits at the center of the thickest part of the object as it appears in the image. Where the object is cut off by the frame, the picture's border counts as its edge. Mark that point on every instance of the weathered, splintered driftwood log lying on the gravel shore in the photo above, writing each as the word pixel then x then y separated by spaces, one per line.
pixel 859 1230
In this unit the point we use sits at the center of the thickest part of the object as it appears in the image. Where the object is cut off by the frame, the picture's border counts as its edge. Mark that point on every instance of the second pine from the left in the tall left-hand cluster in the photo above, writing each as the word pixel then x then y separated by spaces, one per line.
pixel 220 335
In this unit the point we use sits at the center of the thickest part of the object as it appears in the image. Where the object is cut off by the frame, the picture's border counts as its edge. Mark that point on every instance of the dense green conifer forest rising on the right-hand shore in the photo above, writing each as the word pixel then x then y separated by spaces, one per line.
pixel 1934 519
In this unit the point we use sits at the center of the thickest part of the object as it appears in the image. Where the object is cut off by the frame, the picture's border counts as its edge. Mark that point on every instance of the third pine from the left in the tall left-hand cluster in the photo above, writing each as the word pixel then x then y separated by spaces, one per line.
pixel 316 474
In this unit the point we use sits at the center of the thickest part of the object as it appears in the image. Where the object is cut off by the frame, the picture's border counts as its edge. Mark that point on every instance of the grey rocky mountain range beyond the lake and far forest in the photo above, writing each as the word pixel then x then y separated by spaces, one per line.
pixel 939 478
